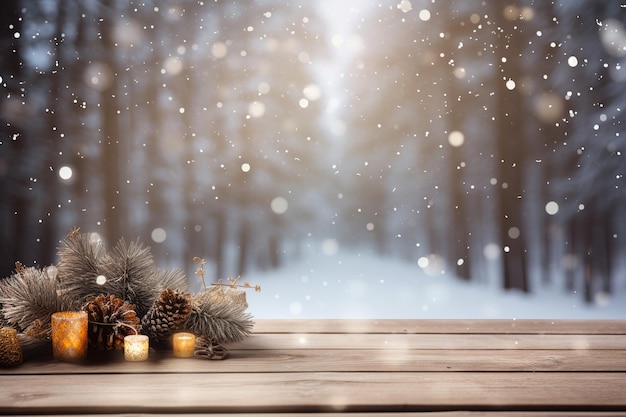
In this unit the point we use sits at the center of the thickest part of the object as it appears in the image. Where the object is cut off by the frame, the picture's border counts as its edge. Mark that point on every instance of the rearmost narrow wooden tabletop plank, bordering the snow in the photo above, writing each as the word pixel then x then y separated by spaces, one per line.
pixel 439 326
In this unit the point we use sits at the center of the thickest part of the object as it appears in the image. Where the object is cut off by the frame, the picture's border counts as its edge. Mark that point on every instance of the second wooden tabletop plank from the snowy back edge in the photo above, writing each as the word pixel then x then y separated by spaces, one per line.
pixel 429 341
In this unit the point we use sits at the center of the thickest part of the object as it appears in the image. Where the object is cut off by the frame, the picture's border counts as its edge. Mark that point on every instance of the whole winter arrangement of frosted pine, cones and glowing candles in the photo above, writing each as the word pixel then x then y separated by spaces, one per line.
pixel 94 298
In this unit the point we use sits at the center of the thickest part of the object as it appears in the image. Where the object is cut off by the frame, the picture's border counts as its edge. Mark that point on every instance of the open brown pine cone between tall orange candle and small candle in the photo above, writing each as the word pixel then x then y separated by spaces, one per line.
pixel 110 319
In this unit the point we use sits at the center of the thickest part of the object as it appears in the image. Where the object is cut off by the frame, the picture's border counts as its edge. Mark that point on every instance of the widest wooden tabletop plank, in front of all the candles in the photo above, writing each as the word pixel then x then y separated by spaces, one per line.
pixel 305 392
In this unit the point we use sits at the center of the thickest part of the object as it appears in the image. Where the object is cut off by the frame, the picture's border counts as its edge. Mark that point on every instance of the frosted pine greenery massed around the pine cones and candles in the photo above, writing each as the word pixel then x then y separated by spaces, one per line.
pixel 85 269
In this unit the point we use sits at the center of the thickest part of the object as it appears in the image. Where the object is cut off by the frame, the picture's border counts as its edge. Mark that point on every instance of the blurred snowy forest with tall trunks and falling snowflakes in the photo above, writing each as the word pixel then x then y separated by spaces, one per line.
pixel 481 140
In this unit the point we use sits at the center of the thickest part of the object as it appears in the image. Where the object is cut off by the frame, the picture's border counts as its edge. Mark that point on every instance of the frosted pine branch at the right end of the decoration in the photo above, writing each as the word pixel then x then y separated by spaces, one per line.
pixel 219 314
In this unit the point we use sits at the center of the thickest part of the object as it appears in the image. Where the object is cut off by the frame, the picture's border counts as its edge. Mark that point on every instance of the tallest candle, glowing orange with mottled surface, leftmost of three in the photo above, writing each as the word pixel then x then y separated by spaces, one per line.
pixel 69 335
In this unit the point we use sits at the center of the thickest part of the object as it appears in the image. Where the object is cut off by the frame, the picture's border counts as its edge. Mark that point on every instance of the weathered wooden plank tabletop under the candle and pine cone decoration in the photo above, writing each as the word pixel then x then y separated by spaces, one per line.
pixel 456 367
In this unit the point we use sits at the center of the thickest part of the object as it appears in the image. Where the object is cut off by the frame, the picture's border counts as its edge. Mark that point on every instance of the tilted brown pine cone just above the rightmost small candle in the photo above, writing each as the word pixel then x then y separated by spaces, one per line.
pixel 168 313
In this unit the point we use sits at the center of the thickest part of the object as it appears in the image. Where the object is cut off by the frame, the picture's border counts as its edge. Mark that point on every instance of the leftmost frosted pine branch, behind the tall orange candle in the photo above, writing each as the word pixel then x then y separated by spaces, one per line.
pixel 29 298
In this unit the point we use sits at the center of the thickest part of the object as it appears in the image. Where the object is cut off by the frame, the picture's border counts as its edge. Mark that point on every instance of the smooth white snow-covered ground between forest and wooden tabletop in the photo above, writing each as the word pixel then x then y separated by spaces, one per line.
pixel 352 285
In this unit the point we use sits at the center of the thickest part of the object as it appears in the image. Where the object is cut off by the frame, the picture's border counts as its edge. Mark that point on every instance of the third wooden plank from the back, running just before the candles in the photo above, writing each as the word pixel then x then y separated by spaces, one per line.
pixel 253 361
